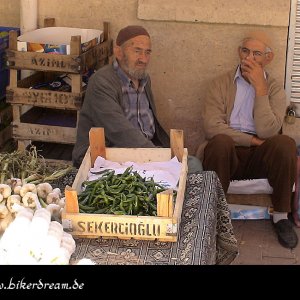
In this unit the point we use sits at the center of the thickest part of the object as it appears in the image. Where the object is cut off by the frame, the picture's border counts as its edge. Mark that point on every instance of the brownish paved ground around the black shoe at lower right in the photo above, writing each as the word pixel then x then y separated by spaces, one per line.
pixel 258 244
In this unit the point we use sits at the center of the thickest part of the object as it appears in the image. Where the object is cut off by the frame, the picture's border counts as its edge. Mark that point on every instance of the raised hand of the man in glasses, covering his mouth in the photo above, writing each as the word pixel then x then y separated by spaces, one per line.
pixel 253 72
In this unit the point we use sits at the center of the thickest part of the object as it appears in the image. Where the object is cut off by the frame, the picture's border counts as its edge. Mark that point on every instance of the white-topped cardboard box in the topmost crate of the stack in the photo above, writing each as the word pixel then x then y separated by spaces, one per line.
pixel 56 40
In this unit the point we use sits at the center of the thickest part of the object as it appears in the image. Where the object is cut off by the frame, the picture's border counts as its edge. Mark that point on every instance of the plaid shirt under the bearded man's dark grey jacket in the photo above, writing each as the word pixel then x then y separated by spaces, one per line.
pixel 135 103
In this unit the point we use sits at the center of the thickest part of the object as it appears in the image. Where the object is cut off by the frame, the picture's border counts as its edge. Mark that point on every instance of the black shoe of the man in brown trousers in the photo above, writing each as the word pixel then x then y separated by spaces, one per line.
pixel 287 237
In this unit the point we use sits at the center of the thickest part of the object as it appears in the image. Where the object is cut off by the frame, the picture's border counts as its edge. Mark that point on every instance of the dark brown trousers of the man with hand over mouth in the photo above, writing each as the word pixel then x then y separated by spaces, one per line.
pixel 275 160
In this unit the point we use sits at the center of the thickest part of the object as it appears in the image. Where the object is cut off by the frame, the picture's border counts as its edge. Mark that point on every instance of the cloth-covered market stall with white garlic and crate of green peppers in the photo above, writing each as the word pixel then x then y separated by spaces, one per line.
pixel 193 227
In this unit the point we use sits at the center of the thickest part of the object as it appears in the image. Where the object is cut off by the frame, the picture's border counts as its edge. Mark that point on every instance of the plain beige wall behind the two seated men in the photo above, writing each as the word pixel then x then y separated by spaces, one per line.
pixel 192 40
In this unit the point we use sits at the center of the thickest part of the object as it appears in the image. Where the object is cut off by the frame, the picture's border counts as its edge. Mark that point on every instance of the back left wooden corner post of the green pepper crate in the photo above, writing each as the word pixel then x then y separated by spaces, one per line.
pixel 97 144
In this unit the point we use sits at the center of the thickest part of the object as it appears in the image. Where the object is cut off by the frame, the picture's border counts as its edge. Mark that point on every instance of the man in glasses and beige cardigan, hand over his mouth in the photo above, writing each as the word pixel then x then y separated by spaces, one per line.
pixel 242 116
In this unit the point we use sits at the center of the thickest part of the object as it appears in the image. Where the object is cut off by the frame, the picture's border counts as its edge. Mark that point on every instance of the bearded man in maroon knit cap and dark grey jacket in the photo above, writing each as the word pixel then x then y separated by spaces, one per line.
pixel 119 99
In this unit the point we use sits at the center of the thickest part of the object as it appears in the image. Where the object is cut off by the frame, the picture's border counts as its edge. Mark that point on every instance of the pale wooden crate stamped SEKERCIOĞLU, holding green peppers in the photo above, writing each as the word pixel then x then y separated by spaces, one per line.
pixel 164 227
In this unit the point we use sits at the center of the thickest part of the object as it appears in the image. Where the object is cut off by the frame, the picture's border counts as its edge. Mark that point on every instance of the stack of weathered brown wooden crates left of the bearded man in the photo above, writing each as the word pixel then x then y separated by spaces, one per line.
pixel 53 115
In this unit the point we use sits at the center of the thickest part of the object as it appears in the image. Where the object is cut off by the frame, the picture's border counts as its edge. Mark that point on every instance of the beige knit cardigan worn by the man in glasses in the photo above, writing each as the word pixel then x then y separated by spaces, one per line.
pixel 268 111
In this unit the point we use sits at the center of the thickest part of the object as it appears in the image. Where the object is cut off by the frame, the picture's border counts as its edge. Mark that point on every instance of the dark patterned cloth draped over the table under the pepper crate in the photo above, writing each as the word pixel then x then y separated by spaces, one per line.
pixel 205 235
